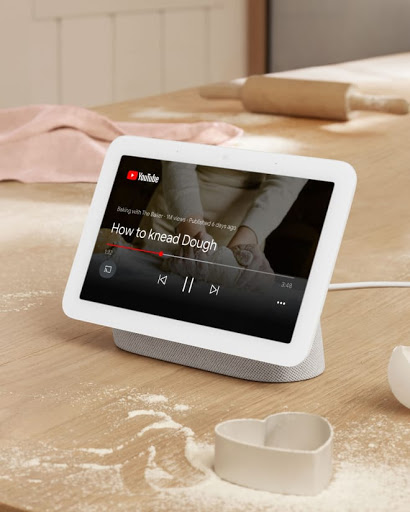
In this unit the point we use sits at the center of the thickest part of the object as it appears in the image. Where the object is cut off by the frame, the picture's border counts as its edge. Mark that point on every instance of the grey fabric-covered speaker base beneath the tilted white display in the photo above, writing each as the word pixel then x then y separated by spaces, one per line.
pixel 225 364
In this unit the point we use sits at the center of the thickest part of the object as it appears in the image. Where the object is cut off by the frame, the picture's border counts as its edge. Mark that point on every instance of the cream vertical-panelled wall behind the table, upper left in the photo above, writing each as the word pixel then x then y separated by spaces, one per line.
pixel 92 52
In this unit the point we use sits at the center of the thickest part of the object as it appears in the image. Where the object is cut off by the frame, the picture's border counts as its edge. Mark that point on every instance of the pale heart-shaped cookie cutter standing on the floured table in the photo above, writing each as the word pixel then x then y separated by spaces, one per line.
pixel 288 453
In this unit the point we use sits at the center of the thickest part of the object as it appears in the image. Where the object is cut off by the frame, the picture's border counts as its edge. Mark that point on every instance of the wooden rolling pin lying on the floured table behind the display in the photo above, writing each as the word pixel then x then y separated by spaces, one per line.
pixel 302 98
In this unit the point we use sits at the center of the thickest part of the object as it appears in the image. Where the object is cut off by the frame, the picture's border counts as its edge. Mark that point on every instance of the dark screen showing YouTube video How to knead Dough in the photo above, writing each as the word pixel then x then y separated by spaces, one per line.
pixel 217 247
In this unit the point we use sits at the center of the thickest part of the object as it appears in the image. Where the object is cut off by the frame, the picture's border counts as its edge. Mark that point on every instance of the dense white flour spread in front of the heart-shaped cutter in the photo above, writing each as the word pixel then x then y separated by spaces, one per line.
pixel 355 486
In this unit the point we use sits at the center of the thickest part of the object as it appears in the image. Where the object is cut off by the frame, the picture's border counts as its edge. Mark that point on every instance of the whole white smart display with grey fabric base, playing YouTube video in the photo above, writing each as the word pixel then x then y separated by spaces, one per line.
pixel 216 258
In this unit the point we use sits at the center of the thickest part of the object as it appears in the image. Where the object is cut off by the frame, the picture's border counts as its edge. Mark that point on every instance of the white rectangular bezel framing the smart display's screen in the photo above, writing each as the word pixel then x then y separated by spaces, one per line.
pixel 285 354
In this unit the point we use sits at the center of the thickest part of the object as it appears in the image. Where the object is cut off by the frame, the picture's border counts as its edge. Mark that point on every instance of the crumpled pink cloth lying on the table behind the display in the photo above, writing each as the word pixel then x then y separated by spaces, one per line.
pixel 61 143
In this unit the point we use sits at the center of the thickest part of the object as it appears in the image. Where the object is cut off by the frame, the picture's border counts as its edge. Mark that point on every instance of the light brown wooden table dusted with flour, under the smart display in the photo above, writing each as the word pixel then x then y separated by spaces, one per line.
pixel 68 441
